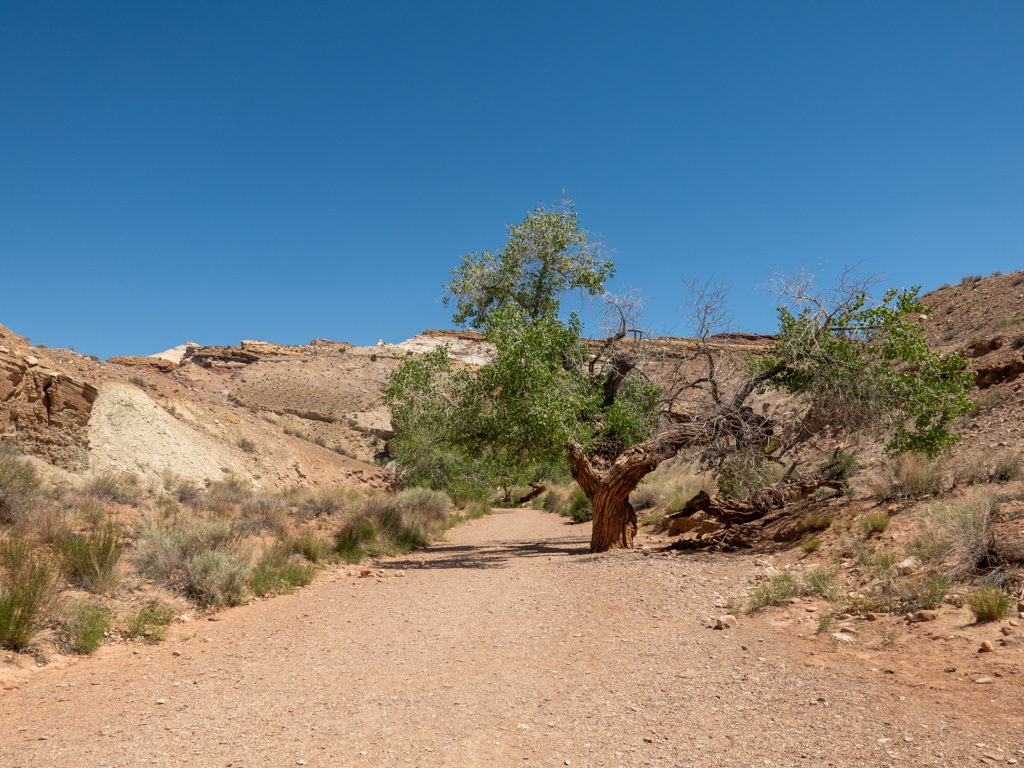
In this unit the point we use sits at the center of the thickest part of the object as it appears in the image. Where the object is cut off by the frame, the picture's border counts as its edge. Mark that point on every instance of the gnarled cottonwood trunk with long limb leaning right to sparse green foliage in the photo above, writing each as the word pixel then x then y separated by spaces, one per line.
pixel 860 365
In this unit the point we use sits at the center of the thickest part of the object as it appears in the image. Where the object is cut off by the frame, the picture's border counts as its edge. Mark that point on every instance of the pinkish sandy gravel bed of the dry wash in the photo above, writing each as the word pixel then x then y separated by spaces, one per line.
pixel 511 645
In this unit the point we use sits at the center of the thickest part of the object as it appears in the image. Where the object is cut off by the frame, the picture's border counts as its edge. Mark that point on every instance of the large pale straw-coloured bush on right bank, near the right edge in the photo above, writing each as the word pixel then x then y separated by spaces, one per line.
pixel 956 536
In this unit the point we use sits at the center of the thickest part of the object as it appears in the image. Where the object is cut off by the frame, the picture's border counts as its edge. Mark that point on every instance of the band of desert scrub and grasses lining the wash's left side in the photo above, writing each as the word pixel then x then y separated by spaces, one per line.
pixel 218 546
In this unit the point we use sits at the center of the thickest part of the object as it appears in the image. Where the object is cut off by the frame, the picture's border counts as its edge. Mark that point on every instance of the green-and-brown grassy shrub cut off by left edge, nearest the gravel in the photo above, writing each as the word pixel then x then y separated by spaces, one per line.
pixel 27 592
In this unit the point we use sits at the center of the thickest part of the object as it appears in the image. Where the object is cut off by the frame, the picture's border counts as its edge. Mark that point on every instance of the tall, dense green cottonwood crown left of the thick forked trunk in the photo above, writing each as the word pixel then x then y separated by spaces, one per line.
pixel 508 423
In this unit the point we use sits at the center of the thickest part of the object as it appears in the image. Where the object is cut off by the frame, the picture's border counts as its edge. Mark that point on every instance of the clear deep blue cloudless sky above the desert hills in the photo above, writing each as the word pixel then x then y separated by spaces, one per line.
pixel 222 172
